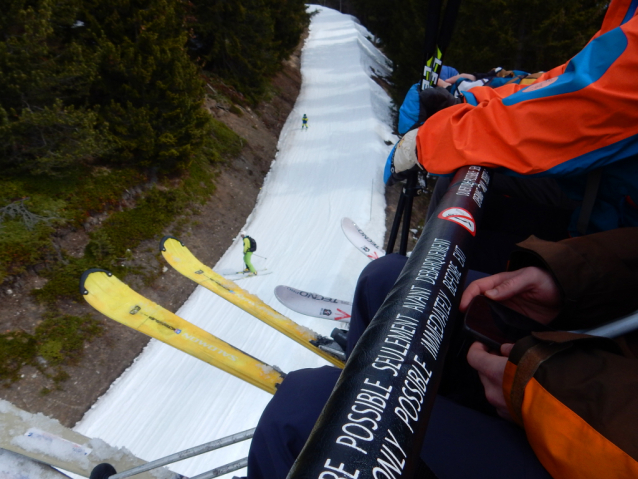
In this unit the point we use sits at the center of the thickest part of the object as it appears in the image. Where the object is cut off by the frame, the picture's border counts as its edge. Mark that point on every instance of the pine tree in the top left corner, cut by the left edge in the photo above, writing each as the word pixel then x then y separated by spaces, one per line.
pixel 44 124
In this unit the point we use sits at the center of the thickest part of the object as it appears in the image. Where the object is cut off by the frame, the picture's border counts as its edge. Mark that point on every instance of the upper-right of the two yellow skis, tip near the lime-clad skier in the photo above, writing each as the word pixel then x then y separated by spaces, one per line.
pixel 180 258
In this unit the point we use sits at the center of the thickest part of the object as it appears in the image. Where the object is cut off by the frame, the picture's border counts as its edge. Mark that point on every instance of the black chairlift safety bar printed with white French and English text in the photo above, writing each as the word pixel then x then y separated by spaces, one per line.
pixel 374 422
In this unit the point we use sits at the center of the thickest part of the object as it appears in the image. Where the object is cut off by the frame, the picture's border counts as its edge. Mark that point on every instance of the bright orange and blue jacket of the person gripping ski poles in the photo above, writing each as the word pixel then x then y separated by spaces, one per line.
pixel 575 118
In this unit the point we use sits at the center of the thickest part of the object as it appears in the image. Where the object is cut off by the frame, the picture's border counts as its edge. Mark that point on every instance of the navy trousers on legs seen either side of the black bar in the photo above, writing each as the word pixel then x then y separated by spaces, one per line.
pixel 461 442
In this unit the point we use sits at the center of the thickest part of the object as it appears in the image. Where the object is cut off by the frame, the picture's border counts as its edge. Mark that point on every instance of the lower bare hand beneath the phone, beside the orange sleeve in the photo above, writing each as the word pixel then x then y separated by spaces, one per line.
pixel 491 368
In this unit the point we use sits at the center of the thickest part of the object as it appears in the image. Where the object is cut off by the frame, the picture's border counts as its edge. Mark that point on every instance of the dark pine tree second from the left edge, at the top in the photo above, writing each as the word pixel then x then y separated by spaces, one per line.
pixel 148 91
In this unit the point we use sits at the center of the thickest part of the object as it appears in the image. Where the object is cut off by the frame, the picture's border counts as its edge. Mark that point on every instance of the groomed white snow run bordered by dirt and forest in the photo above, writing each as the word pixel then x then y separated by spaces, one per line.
pixel 168 401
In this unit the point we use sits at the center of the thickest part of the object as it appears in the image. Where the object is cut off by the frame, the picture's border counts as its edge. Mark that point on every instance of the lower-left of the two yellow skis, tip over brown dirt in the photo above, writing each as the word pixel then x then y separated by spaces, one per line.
pixel 111 297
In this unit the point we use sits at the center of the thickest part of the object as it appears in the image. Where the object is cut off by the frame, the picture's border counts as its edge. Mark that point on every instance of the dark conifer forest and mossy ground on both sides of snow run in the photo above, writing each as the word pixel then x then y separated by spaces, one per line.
pixel 98 97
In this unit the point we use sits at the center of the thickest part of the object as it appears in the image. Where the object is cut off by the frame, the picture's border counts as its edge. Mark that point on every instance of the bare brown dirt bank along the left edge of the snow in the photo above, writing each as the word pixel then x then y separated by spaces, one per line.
pixel 208 230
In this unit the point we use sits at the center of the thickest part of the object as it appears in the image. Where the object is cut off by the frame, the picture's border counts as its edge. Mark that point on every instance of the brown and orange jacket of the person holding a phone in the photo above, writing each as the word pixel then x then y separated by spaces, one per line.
pixel 576 395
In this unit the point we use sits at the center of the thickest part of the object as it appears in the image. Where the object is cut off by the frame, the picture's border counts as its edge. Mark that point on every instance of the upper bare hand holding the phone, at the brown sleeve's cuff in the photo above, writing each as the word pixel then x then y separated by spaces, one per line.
pixel 530 291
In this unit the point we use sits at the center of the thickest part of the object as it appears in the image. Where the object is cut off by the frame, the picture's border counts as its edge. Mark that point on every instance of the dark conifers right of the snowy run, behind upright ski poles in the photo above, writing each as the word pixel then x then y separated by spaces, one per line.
pixel 530 36
